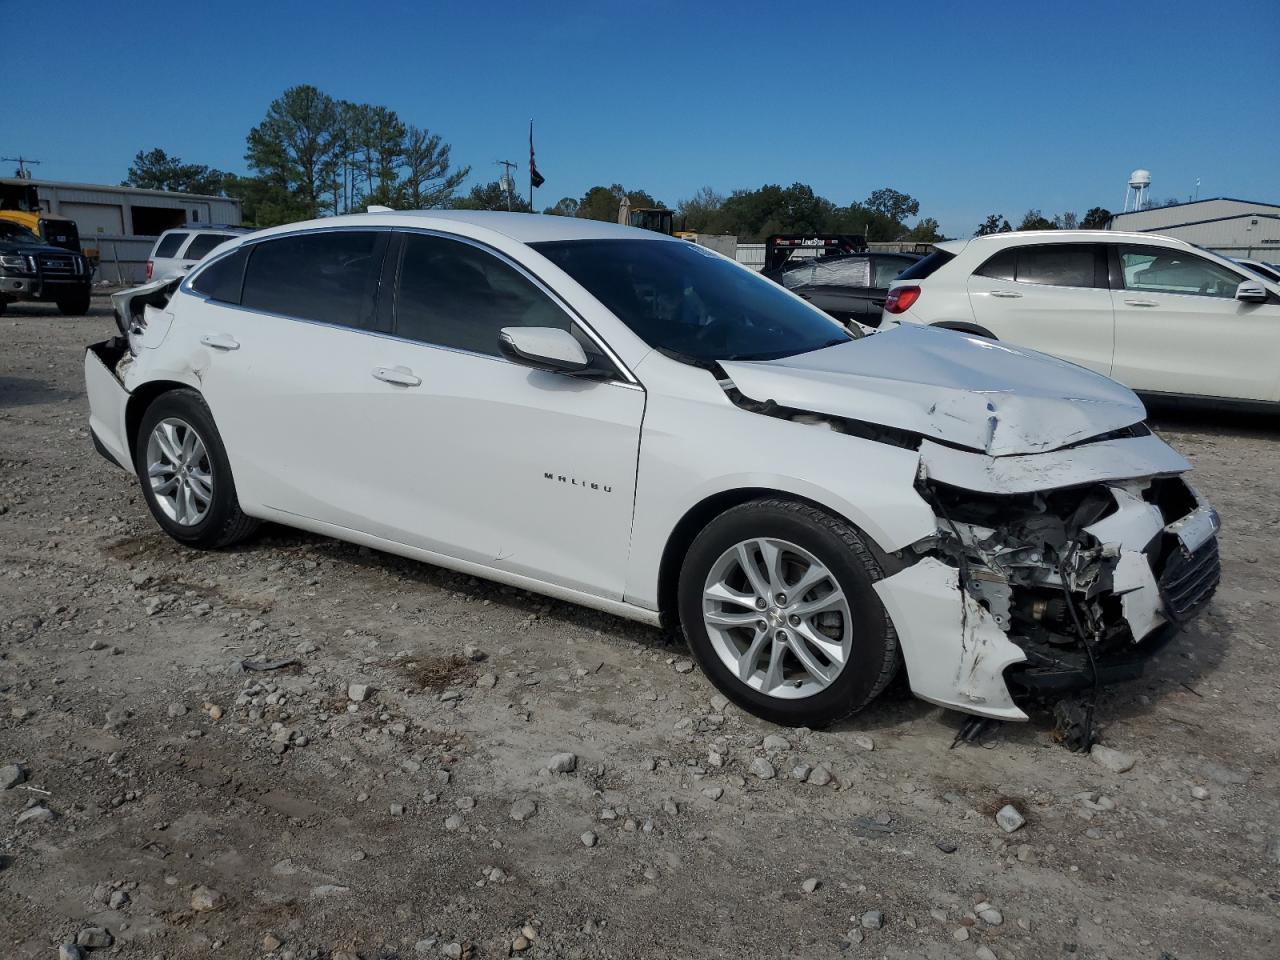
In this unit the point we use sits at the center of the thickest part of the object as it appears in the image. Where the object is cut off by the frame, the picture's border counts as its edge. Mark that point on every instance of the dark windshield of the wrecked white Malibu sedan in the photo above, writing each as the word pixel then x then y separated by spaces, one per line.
pixel 692 304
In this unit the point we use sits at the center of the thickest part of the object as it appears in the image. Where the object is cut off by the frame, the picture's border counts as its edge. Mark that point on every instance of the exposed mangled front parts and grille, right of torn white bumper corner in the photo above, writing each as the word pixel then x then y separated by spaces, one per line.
pixel 1081 577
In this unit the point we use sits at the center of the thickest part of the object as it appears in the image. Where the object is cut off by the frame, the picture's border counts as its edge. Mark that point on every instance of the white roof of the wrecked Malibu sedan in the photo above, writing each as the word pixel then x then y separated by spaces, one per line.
pixel 523 228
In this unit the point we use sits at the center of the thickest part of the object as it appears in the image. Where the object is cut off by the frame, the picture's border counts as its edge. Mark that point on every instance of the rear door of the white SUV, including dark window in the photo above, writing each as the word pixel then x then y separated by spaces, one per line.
pixel 1052 298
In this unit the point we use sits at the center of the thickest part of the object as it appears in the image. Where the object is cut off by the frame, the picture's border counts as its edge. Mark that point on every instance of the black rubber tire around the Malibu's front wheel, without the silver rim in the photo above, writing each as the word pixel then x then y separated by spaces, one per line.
pixel 863 675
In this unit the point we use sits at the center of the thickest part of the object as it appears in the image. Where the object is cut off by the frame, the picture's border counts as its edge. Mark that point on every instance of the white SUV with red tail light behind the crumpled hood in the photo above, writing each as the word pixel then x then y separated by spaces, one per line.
pixel 1158 314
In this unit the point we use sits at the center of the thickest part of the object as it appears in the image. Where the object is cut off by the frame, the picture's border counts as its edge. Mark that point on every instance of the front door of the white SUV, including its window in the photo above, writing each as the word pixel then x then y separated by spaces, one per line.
pixel 1180 328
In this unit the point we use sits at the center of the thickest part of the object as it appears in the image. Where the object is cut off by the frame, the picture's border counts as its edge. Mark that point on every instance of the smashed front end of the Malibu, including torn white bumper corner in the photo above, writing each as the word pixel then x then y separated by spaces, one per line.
pixel 1055 591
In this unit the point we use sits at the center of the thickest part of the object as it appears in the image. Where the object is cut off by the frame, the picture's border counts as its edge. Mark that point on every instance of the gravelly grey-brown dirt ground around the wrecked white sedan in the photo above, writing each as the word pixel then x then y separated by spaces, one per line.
pixel 200 810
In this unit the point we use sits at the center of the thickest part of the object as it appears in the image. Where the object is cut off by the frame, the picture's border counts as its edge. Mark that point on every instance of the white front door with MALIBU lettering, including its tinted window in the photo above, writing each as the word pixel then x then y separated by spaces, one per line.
pixel 482 459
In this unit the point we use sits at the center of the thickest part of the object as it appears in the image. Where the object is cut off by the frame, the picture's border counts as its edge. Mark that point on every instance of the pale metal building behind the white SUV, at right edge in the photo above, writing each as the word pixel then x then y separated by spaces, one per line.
pixel 1236 228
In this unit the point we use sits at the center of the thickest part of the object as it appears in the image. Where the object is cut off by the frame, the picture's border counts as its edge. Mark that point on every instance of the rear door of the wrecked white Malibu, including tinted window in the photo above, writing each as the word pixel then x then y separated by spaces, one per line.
pixel 286 358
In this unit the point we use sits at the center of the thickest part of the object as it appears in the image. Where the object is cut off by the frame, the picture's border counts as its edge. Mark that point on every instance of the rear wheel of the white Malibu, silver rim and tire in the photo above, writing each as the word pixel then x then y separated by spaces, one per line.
pixel 185 474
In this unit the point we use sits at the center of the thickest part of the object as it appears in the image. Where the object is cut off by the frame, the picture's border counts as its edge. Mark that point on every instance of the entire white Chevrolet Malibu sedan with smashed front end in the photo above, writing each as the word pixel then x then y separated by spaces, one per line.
pixel 637 424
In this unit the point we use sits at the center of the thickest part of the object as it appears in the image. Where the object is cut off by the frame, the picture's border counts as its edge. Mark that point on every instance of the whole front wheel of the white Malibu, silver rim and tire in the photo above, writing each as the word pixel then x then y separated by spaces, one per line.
pixel 779 607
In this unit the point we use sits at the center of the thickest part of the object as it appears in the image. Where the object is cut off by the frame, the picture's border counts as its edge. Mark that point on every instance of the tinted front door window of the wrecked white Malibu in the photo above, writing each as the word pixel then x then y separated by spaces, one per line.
pixel 454 295
